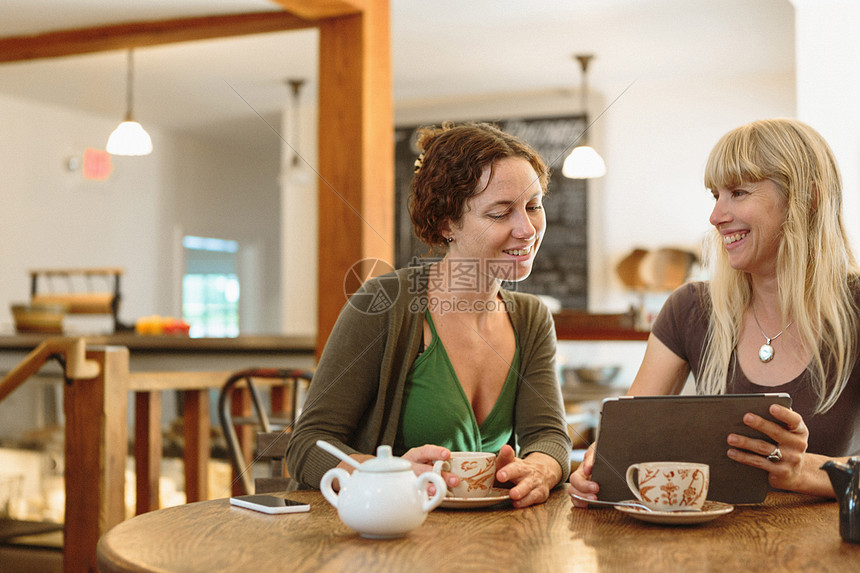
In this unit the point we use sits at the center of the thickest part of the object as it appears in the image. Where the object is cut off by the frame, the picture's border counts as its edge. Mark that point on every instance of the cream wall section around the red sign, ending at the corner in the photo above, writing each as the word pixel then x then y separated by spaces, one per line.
pixel 51 217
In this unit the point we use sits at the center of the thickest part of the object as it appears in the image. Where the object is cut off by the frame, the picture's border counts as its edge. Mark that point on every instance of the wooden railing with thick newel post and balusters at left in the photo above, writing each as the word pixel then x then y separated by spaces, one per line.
pixel 95 401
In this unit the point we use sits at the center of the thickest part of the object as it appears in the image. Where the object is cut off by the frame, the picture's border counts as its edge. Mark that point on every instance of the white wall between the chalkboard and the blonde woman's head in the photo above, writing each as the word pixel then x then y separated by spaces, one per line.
pixel 658 137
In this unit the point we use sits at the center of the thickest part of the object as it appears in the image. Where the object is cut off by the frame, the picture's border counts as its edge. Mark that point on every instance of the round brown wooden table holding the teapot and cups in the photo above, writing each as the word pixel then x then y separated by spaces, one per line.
pixel 787 533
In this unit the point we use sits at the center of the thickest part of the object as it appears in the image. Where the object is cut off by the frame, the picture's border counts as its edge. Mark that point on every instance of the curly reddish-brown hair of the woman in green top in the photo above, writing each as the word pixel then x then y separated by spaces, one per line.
pixel 449 170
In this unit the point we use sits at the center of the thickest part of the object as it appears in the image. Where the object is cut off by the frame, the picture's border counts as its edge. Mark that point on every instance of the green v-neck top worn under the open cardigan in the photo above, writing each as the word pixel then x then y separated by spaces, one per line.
pixel 437 411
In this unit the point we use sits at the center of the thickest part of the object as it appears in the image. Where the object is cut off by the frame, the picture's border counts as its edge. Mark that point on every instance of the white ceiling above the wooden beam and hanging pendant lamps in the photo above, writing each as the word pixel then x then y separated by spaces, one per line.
pixel 441 50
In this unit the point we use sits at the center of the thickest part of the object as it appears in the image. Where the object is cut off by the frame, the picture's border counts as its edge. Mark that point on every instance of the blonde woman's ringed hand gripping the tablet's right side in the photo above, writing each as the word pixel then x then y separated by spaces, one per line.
pixel 797 470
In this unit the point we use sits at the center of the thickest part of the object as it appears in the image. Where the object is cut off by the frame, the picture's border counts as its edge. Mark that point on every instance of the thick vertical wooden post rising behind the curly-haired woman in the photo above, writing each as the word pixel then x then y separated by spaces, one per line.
pixel 356 152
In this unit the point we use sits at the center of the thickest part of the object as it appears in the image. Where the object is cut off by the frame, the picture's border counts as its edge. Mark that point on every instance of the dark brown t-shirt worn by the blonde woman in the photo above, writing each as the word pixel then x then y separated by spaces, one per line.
pixel 682 325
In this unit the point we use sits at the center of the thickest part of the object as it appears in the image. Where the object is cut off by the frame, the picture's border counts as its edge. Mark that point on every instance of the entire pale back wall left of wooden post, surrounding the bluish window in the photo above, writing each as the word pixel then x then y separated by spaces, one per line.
pixel 53 217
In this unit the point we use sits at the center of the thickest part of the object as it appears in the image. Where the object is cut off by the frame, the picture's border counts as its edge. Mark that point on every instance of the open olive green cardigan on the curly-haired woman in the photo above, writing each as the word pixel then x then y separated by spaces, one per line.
pixel 355 399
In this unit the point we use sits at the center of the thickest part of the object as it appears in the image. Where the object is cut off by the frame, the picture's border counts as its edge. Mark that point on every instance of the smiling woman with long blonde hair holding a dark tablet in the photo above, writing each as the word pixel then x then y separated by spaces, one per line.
pixel 780 313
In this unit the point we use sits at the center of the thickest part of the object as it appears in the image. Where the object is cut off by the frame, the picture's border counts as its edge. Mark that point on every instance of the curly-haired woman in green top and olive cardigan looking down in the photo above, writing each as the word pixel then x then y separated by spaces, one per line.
pixel 439 357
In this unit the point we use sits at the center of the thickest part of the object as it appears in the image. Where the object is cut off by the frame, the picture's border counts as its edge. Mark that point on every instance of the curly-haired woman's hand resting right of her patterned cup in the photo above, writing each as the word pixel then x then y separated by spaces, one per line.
pixel 534 476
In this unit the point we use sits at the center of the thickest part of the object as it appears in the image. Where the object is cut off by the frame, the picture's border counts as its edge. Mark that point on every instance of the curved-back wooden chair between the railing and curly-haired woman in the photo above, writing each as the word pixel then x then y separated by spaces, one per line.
pixel 275 428
